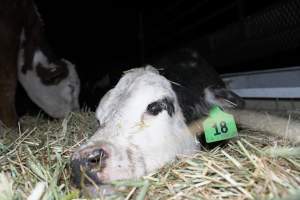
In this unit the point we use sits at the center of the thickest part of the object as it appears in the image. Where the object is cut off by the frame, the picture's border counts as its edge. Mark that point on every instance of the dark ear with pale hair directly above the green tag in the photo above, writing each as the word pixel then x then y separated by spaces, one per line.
pixel 223 97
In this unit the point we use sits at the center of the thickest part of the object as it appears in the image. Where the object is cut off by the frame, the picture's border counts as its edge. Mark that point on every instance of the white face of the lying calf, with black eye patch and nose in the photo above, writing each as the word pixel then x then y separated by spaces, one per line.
pixel 141 128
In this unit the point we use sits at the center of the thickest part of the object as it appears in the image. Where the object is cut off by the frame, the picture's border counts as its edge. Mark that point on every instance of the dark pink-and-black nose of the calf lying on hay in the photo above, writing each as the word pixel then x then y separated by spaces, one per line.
pixel 86 165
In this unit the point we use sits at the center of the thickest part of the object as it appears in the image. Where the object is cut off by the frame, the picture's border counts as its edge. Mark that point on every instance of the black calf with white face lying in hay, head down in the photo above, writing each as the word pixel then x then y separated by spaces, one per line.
pixel 144 120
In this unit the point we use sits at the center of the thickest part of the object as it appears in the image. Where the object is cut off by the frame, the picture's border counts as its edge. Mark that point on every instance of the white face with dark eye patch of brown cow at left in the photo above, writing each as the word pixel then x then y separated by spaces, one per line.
pixel 52 84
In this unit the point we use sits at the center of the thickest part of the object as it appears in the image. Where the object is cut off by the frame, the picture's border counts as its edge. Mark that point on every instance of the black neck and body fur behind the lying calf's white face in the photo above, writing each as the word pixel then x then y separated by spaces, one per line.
pixel 193 74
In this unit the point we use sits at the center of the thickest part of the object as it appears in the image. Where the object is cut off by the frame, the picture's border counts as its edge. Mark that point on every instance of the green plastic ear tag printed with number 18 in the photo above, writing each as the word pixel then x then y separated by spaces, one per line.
pixel 219 126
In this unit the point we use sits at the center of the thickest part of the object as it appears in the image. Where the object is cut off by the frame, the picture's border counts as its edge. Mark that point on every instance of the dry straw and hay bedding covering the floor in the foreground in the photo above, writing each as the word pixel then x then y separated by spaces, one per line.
pixel 254 166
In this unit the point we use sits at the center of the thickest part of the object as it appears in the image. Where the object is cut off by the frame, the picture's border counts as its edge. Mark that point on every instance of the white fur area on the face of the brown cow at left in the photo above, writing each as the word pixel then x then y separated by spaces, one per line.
pixel 56 100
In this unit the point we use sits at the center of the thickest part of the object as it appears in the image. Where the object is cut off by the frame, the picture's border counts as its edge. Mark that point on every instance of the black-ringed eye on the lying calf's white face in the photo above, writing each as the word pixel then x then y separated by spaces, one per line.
pixel 158 106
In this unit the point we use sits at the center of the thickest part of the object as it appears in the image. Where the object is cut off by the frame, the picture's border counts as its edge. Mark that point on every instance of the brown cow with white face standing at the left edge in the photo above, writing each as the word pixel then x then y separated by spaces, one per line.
pixel 51 83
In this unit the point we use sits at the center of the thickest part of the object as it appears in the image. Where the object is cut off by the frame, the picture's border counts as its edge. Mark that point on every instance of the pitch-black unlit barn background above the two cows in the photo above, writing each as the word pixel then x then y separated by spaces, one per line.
pixel 110 36
